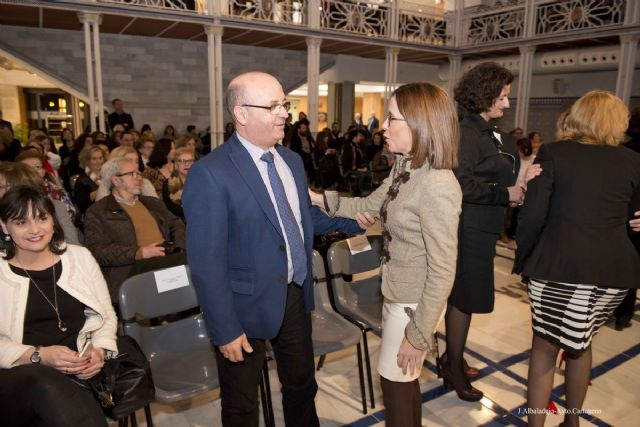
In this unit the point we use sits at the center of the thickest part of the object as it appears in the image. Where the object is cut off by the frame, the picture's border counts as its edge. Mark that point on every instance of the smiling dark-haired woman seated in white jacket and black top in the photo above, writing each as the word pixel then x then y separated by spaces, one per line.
pixel 55 305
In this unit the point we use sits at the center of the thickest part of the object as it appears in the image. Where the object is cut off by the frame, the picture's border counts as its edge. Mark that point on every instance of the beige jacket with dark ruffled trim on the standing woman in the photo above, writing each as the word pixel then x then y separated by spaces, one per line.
pixel 423 222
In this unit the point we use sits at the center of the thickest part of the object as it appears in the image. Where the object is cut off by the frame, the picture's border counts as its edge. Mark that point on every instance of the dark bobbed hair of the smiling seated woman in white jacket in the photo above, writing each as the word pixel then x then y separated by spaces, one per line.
pixel 18 203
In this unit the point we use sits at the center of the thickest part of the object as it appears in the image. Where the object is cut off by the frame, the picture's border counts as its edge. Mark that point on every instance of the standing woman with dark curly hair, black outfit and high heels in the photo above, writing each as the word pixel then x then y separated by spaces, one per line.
pixel 486 174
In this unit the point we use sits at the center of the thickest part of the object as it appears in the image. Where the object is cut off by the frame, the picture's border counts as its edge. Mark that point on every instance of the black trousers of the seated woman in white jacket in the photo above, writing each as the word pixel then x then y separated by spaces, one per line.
pixel 38 395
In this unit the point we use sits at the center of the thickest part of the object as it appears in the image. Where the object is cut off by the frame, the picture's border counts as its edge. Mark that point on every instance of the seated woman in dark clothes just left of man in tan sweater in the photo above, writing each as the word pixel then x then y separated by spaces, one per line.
pixel 86 185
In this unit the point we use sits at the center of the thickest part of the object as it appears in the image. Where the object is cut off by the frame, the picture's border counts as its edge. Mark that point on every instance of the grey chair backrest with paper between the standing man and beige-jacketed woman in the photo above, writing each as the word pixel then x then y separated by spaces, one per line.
pixel 343 266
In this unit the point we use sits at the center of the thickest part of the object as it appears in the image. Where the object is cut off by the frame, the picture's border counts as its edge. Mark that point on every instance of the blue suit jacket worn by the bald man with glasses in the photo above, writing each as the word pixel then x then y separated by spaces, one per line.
pixel 235 247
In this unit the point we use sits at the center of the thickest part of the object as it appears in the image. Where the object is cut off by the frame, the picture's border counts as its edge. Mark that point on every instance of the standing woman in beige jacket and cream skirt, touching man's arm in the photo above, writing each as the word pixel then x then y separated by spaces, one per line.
pixel 419 204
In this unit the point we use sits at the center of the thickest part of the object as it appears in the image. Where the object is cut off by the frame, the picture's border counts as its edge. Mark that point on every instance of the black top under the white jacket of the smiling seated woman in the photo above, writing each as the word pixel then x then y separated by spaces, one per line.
pixel 40 320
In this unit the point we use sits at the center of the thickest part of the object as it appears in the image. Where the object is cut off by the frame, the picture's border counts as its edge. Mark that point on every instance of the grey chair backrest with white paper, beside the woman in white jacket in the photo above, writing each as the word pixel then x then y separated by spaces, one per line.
pixel 140 295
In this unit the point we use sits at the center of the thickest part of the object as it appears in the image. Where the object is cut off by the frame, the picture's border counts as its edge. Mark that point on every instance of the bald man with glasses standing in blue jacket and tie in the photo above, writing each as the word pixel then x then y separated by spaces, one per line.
pixel 249 244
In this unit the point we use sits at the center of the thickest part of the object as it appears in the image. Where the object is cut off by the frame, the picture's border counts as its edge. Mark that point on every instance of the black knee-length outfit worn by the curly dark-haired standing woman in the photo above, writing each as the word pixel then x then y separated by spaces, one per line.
pixel 485 171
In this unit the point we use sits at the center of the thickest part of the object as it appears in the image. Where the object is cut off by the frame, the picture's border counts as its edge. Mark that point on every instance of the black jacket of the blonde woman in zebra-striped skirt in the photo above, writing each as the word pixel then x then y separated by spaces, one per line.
pixel 573 227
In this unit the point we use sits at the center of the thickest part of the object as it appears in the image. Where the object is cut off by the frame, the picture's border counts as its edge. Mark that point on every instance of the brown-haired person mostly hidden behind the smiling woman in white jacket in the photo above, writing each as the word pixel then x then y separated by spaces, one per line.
pixel 14 174
